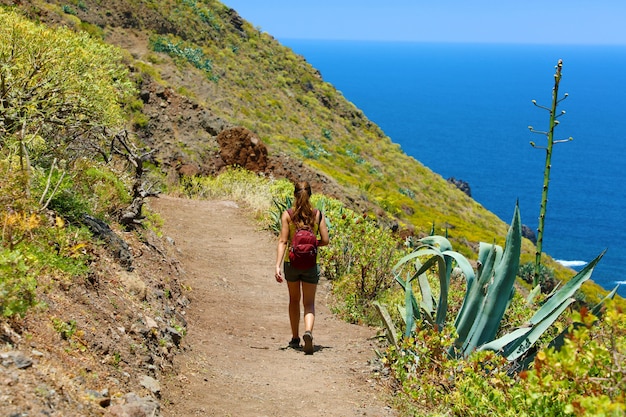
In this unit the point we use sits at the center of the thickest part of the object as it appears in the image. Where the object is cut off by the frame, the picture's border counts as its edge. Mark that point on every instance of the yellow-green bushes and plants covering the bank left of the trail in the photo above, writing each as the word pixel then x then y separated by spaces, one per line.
pixel 60 92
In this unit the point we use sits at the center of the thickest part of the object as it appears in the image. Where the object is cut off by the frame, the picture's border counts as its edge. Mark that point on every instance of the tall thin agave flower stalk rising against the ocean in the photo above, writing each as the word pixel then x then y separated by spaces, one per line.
pixel 546 173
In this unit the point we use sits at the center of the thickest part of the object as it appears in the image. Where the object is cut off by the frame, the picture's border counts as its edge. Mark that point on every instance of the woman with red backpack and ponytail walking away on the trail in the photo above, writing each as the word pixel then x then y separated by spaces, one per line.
pixel 300 267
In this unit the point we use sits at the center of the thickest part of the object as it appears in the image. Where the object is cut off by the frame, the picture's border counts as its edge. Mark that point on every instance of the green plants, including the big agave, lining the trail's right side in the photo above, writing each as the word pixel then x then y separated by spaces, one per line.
pixel 509 366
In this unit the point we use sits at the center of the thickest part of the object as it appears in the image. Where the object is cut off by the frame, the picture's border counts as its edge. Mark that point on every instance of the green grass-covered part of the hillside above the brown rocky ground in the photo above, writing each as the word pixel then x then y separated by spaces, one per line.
pixel 265 87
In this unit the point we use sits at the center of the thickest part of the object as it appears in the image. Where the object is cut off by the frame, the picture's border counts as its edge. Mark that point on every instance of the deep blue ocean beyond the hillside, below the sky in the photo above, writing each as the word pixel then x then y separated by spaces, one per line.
pixel 463 110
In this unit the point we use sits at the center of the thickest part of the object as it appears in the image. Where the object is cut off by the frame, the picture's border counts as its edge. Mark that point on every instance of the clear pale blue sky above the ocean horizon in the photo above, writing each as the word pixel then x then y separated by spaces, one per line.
pixel 521 21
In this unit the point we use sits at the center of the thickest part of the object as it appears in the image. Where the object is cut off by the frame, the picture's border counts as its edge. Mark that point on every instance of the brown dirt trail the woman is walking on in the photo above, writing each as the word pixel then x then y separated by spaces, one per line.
pixel 236 362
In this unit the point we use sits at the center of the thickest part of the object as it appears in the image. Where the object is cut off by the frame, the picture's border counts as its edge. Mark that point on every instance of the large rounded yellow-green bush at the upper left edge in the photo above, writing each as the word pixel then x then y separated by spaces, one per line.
pixel 58 90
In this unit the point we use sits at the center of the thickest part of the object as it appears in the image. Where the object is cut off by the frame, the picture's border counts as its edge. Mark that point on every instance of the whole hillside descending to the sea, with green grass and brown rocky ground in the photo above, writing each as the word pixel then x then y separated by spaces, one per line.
pixel 202 69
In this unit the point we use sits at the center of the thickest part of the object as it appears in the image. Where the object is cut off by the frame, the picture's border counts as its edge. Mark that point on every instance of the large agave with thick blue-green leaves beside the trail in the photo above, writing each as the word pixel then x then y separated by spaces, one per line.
pixel 488 294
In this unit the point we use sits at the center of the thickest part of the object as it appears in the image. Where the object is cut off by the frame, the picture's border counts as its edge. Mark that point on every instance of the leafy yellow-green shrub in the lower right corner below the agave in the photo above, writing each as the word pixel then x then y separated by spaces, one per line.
pixel 586 377
